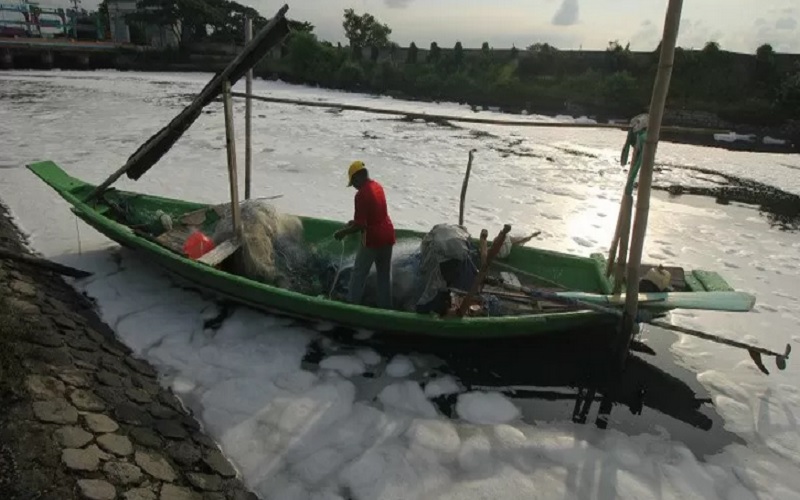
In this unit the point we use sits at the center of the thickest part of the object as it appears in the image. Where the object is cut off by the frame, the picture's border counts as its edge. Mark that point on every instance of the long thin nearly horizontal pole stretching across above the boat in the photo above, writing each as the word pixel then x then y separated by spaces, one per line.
pixel 464 119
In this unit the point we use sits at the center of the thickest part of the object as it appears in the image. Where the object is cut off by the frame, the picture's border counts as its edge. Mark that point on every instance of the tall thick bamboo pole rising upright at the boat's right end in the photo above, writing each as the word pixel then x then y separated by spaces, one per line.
pixel 660 90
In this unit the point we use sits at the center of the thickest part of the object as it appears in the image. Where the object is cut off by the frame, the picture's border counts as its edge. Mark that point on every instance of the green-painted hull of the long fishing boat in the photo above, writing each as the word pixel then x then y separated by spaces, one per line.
pixel 584 274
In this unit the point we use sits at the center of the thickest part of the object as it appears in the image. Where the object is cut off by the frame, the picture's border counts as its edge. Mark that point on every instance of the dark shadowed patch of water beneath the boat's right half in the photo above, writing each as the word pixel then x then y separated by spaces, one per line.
pixel 558 379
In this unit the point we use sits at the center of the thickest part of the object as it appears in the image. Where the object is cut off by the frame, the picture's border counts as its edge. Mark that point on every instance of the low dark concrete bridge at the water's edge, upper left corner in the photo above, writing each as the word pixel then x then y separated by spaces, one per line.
pixel 47 53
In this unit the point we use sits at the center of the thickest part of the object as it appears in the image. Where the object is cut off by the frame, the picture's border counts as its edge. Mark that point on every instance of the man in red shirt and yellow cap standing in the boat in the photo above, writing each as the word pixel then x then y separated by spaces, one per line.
pixel 371 218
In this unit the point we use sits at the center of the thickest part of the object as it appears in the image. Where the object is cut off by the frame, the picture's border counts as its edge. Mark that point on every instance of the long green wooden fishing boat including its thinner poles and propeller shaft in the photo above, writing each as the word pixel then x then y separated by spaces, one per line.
pixel 542 291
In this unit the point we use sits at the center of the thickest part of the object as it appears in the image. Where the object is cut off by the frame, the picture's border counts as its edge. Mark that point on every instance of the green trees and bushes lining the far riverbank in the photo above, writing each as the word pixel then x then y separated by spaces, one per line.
pixel 737 87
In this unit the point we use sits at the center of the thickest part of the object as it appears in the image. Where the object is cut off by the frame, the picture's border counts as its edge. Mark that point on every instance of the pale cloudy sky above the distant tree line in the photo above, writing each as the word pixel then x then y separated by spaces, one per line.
pixel 737 25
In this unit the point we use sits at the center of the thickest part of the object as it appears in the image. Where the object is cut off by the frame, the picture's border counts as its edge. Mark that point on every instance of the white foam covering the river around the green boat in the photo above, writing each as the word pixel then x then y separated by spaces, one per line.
pixel 305 432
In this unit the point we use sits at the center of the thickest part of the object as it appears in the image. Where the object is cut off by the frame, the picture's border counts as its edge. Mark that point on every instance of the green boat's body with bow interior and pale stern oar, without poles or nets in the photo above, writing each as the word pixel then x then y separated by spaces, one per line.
pixel 574 276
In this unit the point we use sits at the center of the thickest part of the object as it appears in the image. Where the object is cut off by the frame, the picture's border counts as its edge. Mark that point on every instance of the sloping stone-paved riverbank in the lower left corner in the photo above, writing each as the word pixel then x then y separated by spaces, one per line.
pixel 84 418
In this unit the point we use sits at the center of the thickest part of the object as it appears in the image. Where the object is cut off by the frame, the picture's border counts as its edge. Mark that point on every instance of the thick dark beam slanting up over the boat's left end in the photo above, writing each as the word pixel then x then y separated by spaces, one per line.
pixel 161 142
